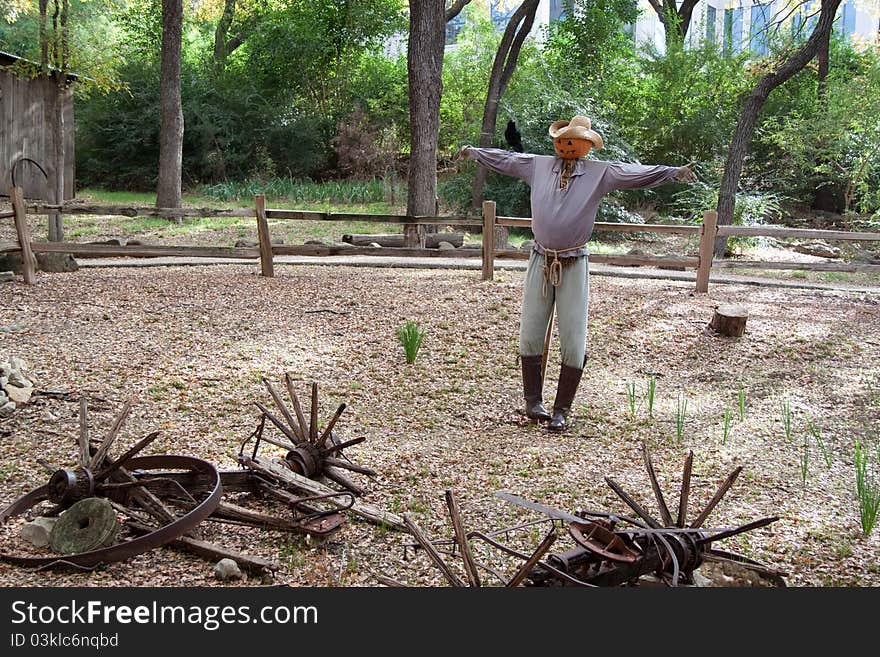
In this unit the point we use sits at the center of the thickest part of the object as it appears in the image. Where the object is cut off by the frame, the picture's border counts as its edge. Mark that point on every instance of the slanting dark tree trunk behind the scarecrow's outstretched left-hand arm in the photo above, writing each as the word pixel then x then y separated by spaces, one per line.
pixel 518 28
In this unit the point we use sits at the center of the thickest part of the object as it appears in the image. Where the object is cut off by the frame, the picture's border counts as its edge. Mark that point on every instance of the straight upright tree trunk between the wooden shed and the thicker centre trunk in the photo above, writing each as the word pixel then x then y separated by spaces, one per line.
pixel 168 192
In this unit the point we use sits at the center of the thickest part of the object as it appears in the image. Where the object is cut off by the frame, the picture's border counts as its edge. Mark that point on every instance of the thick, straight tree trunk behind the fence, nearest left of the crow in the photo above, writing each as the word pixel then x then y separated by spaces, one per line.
pixel 427 38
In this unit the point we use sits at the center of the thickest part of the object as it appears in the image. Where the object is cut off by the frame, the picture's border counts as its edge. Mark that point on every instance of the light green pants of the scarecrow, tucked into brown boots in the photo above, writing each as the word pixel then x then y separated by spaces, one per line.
pixel 571 297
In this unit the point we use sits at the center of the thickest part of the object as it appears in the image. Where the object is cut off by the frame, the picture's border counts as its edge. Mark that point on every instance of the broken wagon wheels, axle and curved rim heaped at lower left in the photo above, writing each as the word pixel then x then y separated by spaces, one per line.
pixel 164 498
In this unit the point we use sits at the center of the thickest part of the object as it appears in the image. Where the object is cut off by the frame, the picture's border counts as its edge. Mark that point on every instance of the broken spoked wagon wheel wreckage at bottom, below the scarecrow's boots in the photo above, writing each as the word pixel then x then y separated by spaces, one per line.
pixel 611 549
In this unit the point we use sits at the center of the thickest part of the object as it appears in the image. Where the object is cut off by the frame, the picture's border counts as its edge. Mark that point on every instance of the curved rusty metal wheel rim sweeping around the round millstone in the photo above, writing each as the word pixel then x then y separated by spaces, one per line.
pixel 160 536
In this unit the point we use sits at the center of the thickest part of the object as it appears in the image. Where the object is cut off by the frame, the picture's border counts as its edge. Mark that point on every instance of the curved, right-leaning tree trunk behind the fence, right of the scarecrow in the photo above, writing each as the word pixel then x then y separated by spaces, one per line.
pixel 742 134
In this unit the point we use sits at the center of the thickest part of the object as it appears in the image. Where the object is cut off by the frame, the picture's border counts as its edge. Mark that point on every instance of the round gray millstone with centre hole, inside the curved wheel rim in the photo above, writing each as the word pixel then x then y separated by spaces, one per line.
pixel 87 525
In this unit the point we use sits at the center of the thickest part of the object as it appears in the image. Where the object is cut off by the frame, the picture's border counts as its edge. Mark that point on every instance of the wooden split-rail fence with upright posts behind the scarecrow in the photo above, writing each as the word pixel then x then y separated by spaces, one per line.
pixel 265 251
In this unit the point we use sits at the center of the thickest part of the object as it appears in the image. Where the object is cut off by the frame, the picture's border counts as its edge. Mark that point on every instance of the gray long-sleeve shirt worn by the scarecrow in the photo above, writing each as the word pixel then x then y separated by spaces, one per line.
pixel 562 219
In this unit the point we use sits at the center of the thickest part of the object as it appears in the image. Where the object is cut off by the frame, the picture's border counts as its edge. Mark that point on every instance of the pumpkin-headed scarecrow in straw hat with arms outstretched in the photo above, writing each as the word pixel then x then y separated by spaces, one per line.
pixel 565 194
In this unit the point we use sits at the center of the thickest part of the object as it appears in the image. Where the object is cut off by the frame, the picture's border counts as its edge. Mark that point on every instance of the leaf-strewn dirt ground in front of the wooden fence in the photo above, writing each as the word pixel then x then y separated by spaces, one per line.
pixel 189 345
